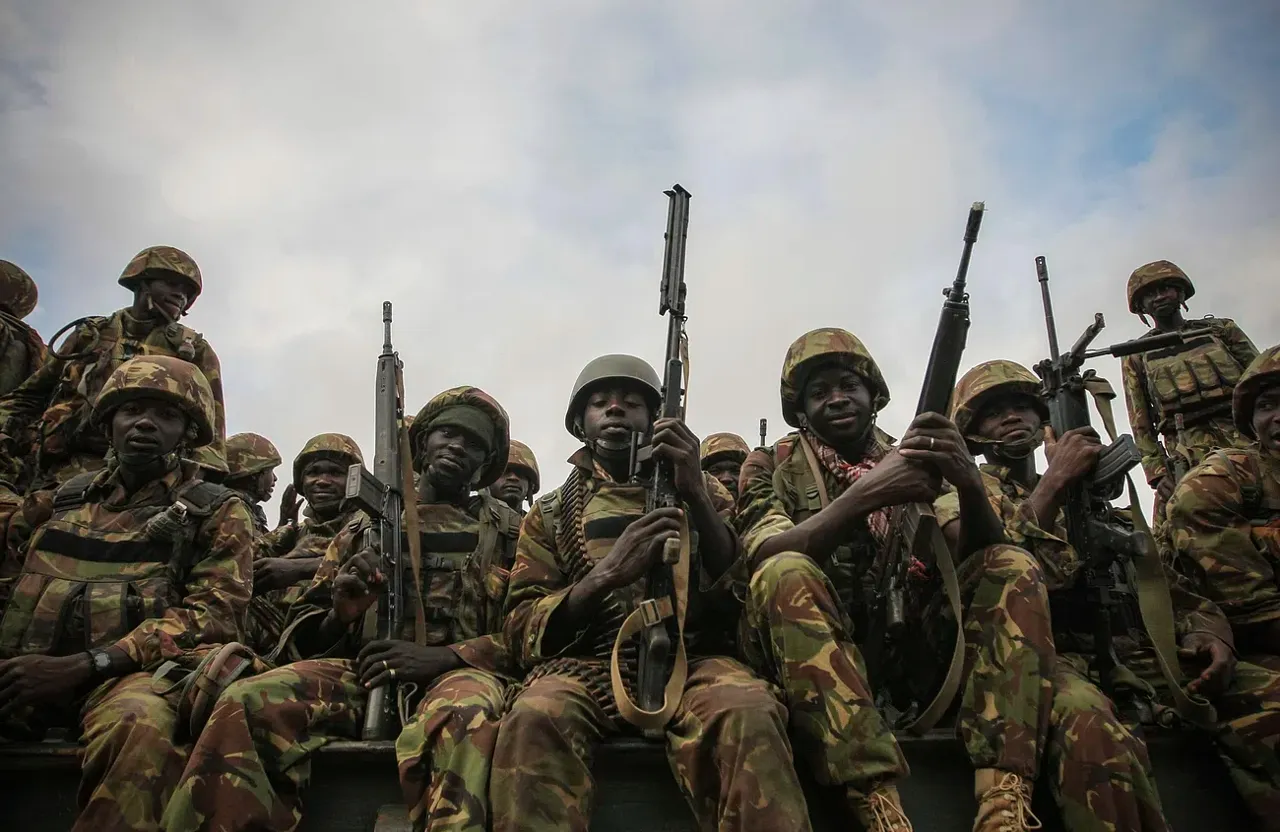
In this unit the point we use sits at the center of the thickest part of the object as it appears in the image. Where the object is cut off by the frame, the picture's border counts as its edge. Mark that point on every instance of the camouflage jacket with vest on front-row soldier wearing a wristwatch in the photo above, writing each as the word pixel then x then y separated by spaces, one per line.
pixel 113 569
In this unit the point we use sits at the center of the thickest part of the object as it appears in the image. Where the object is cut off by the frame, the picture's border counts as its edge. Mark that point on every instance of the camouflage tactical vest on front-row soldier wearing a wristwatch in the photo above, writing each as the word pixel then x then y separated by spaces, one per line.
pixel 84 588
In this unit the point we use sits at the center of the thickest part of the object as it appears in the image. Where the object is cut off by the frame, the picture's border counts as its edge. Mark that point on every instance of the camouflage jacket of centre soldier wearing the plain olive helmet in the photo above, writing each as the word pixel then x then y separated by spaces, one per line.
pixel 569 532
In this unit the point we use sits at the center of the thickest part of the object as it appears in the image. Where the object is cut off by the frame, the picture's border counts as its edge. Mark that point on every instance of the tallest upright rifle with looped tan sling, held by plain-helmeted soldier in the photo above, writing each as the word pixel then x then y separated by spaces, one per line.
pixel 660 619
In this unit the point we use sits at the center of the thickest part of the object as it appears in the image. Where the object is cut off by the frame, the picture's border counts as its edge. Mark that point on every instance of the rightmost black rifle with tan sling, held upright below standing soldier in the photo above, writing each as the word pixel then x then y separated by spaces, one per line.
pixel 1107 546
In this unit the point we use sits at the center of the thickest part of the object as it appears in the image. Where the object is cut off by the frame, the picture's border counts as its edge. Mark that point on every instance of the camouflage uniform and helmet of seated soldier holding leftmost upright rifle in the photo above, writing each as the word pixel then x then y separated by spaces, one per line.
pixel 254 758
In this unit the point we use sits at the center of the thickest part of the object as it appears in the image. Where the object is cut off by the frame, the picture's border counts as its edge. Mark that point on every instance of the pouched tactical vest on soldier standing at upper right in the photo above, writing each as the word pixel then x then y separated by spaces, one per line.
pixel 1196 376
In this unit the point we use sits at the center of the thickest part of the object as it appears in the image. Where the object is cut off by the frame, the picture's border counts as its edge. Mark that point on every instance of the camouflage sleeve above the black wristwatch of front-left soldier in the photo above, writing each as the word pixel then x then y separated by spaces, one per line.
pixel 218 589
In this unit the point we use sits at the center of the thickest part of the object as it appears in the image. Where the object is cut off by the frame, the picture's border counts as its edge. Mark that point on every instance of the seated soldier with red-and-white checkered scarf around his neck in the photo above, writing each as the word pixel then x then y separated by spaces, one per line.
pixel 816 547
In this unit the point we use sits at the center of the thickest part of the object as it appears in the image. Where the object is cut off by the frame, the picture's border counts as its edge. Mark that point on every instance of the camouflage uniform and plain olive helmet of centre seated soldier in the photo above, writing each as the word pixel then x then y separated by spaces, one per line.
pixel 726 742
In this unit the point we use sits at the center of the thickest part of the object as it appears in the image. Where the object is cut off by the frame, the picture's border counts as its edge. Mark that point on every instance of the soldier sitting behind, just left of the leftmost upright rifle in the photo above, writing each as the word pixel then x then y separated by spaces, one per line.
pixel 287 560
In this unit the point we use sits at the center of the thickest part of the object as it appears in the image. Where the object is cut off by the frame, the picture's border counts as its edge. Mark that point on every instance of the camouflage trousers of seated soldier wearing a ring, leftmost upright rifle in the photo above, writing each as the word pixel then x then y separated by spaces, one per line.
pixel 254 758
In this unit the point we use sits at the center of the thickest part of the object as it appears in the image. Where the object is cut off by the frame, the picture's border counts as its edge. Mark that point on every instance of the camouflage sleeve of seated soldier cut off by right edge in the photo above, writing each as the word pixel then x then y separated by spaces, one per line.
pixel 1214 546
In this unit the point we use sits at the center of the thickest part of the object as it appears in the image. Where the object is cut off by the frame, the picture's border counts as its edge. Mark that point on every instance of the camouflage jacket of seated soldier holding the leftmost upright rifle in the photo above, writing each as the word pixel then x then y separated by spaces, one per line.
pixel 468 551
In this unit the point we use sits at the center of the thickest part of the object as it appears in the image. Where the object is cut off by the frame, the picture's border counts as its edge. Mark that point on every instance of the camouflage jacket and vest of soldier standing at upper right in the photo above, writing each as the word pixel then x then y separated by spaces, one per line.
pixel 1195 380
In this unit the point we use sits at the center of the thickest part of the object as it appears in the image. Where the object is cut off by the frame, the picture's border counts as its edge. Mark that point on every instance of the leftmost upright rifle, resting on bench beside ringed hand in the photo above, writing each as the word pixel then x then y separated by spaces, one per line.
pixel 381 497
